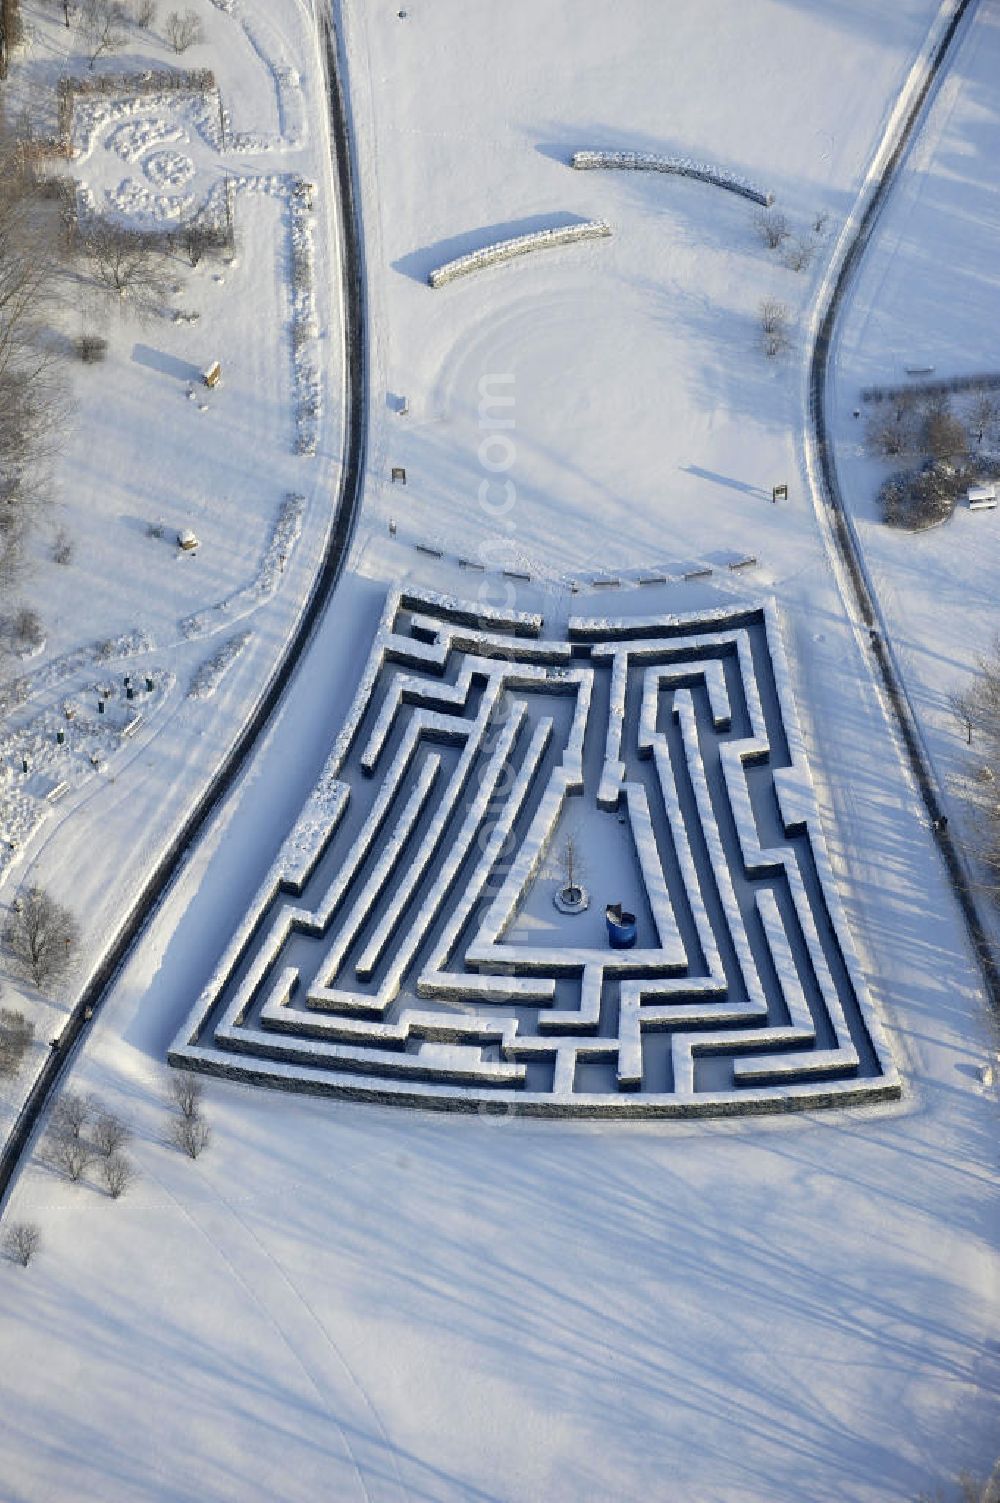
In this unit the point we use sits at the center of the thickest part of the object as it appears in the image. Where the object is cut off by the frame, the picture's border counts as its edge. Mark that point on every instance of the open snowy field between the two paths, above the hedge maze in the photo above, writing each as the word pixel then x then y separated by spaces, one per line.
pixel 647 429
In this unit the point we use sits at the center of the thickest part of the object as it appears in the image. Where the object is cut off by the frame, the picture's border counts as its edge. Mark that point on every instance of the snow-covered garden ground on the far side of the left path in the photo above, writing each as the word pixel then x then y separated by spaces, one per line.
pixel 150 452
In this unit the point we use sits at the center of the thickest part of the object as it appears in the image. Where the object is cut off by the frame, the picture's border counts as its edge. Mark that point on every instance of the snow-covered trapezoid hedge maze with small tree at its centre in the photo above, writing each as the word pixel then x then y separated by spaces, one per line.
pixel 404 946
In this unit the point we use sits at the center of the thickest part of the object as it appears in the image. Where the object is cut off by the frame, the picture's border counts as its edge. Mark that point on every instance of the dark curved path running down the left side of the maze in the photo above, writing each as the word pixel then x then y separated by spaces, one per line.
pixel 344 171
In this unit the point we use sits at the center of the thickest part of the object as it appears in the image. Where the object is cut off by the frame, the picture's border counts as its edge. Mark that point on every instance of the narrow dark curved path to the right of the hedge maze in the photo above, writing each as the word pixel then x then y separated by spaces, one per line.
pixel 846 536
